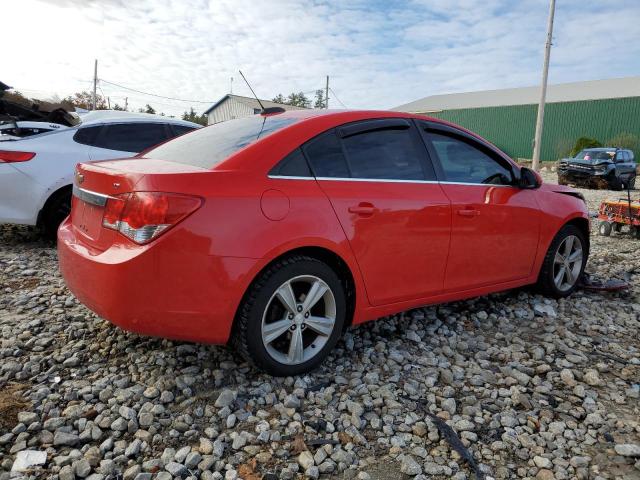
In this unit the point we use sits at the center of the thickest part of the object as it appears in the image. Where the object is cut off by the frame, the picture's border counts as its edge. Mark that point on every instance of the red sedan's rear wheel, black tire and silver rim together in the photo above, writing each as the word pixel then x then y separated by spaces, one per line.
pixel 291 317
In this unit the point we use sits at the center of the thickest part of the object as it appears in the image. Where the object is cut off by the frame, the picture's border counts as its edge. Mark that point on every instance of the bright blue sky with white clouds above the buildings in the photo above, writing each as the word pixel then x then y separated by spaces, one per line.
pixel 378 54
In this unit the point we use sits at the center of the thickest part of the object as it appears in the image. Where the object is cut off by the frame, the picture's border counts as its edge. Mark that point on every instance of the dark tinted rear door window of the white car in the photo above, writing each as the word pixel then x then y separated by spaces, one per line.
pixel 132 137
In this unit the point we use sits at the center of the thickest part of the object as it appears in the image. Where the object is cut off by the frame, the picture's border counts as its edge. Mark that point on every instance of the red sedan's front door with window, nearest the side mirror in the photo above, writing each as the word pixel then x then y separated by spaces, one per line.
pixel 495 225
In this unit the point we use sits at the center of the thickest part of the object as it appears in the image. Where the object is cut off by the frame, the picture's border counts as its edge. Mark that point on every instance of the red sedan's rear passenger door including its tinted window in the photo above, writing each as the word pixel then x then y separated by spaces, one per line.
pixel 396 217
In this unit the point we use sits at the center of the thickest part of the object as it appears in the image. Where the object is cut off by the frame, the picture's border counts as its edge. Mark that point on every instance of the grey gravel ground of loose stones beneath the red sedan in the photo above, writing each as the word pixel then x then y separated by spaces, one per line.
pixel 534 388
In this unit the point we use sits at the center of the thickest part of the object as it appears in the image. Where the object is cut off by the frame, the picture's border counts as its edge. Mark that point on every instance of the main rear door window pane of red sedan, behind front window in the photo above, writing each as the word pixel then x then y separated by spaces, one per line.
pixel 388 154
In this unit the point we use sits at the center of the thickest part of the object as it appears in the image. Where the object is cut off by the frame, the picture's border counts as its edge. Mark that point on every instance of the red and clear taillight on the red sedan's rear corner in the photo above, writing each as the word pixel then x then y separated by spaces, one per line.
pixel 143 216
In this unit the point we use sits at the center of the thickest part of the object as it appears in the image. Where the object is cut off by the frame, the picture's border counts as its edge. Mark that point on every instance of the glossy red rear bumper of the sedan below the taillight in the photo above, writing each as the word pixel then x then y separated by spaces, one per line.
pixel 169 288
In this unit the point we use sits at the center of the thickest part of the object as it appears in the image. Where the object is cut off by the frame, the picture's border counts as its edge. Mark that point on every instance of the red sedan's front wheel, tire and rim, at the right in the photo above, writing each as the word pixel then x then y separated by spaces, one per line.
pixel 564 263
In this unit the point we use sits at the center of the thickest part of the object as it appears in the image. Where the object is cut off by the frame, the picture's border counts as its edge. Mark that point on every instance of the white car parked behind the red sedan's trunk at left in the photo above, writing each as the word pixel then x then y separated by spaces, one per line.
pixel 36 172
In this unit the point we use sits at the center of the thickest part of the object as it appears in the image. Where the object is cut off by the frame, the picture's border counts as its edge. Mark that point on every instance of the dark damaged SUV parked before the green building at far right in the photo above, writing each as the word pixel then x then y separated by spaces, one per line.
pixel 607 168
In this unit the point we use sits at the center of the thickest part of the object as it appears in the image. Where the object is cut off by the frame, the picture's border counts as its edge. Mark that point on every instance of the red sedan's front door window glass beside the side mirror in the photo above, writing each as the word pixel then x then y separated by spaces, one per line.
pixel 464 162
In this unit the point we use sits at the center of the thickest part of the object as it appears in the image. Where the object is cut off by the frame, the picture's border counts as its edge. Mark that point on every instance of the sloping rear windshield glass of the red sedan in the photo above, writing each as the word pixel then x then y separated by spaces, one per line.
pixel 209 146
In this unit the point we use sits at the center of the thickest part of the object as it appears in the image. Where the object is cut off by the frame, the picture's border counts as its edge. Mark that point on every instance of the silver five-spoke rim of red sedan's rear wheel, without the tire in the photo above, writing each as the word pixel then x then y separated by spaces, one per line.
pixel 298 320
